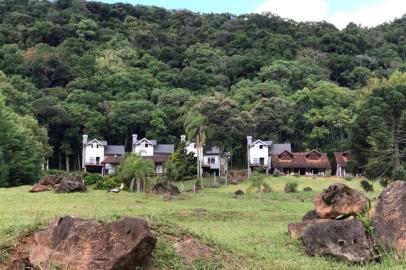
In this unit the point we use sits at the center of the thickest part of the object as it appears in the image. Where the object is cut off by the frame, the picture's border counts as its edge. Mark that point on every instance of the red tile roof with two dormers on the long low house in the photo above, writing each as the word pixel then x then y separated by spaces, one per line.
pixel 312 159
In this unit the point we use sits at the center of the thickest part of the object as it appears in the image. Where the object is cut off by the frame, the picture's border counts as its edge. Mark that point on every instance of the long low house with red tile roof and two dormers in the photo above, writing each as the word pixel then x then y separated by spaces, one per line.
pixel 307 163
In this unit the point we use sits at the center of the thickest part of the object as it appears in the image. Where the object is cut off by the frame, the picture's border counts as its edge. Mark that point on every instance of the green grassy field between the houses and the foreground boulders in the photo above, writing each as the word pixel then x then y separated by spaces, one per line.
pixel 248 233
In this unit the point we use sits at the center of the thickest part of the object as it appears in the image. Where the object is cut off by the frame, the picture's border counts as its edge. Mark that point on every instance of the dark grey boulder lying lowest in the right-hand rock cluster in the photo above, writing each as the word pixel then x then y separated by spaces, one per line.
pixel 345 240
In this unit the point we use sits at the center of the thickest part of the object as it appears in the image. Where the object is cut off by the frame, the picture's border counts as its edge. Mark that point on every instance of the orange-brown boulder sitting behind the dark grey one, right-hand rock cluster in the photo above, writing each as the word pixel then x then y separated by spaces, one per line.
pixel 340 200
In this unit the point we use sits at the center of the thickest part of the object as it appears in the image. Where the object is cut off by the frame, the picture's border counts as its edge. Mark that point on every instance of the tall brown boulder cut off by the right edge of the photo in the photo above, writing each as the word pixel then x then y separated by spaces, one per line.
pixel 389 218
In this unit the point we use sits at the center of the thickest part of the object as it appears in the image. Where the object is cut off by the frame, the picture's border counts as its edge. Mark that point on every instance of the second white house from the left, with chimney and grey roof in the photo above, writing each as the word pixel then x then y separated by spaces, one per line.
pixel 150 149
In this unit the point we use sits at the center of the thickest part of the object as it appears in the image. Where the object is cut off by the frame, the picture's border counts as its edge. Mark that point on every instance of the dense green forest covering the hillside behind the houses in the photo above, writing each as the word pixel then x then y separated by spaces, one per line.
pixel 110 70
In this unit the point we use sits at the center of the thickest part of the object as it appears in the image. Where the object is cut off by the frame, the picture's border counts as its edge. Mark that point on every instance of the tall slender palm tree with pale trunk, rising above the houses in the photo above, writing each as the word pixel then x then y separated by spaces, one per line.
pixel 196 127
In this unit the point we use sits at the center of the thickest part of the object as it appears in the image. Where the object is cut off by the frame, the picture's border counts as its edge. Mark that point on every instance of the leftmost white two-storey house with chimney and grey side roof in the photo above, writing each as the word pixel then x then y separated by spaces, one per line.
pixel 100 157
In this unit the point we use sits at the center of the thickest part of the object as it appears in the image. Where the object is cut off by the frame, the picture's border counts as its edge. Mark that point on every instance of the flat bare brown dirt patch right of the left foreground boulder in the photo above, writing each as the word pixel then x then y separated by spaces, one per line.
pixel 192 249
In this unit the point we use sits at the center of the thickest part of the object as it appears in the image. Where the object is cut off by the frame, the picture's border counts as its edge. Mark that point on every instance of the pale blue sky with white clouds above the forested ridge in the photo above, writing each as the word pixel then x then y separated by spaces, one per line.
pixel 339 12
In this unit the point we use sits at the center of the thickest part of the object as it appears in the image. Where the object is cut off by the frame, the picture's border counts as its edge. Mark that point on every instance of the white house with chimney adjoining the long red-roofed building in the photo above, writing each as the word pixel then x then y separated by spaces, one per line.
pixel 259 152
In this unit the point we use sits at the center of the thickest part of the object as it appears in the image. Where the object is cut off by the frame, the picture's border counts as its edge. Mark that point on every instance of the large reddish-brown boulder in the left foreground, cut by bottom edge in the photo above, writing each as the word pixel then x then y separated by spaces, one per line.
pixel 76 244
